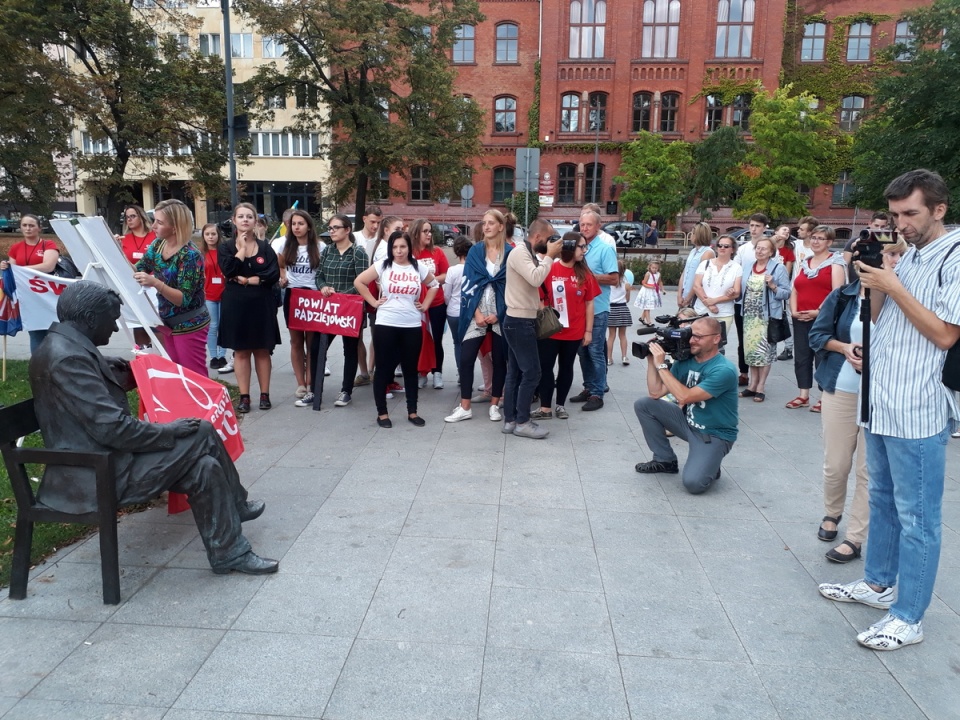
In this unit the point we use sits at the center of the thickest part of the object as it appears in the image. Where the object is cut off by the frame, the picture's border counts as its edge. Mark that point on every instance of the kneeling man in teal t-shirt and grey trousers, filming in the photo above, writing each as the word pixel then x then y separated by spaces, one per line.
pixel 705 387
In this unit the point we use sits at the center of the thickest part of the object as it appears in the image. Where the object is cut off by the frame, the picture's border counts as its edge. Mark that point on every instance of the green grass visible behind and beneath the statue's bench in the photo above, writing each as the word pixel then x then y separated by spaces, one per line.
pixel 47 537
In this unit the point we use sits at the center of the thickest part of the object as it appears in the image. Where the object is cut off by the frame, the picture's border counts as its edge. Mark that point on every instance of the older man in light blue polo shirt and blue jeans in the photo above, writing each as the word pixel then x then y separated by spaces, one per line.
pixel 602 261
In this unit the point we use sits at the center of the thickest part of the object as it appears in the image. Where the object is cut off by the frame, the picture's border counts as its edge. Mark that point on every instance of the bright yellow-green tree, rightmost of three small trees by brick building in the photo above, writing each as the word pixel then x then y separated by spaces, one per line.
pixel 793 146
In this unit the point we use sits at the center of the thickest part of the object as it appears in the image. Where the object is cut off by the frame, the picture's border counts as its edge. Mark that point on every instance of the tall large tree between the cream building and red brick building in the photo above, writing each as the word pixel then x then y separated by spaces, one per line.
pixel 381 76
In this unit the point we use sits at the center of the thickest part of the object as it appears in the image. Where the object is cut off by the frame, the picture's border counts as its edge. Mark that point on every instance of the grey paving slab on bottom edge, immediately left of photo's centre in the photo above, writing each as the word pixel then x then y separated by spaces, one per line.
pixel 407 681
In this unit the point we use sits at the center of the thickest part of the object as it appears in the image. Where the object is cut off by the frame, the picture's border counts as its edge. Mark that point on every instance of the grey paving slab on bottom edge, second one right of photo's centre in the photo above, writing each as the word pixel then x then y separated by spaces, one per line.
pixel 680 689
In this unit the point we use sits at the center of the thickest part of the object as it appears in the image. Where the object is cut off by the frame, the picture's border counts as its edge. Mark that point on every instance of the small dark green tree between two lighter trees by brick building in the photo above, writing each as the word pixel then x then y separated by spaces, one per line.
pixel 716 162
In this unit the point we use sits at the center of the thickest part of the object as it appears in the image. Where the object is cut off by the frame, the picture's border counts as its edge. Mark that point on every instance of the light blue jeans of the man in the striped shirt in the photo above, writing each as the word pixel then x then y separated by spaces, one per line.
pixel 906 497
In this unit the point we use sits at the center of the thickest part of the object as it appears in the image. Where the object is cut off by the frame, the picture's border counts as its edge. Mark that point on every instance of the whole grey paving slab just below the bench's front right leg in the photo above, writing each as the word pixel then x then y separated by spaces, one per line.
pixel 132 664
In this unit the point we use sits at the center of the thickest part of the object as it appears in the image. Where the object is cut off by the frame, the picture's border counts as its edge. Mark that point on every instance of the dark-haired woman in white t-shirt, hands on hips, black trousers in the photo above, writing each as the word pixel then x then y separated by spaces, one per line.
pixel 397 336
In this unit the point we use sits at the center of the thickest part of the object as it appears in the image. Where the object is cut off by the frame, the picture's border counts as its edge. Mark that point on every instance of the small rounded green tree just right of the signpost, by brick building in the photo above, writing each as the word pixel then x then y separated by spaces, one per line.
pixel 656 175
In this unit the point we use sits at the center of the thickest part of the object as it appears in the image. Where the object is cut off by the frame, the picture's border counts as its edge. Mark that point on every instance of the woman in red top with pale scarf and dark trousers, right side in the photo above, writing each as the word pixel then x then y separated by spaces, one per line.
pixel 819 274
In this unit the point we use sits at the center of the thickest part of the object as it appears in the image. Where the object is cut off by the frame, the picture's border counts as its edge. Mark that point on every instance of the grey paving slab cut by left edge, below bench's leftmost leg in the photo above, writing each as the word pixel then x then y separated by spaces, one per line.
pixel 35 647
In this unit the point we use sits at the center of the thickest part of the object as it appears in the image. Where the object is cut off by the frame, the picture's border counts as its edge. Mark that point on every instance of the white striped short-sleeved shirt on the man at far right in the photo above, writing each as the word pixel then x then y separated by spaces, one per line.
pixel 907 398
